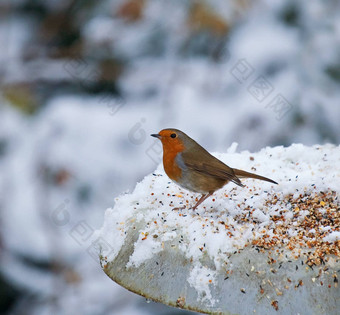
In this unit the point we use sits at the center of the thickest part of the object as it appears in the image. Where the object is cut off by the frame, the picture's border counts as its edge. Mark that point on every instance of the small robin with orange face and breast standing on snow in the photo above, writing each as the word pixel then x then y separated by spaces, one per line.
pixel 192 167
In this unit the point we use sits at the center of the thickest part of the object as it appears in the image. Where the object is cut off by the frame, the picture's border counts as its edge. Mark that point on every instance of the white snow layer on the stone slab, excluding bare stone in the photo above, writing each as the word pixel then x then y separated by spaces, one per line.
pixel 216 228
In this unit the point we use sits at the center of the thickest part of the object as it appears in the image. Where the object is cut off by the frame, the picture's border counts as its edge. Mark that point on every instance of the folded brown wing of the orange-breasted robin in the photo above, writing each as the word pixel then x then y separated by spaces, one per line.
pixel 209 165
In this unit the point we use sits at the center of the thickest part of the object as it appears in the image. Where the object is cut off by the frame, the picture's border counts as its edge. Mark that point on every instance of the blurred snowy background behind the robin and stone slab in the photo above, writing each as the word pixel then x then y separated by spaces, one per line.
pixel 84 83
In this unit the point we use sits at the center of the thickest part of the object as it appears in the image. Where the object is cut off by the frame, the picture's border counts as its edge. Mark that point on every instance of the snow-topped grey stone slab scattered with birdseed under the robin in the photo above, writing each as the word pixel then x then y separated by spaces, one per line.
pixel 263 248
